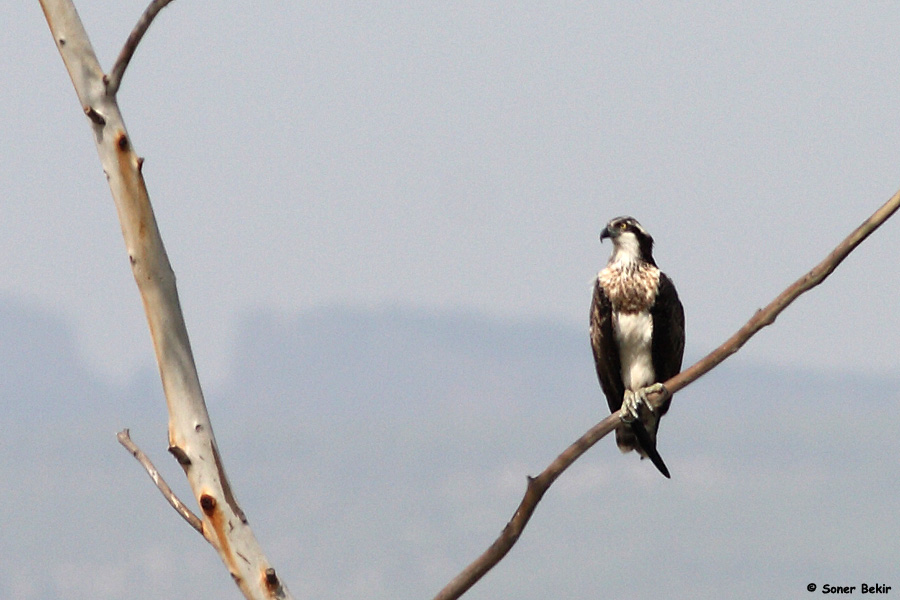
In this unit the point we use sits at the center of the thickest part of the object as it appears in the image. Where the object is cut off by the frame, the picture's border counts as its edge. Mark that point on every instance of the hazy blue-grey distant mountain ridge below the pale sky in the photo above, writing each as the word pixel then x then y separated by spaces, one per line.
pixel 377 451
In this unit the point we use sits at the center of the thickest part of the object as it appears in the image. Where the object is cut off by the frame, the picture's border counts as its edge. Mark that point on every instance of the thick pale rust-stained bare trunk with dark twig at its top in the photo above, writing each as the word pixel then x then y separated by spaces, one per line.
pixel 191 438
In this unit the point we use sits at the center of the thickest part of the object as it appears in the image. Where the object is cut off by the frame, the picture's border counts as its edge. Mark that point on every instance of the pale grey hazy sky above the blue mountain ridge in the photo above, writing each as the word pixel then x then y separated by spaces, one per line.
pixel 465 155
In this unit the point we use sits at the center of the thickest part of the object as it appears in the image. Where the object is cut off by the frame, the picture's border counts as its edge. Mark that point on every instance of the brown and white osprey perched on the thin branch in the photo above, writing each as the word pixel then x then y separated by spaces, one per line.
pixel 637 334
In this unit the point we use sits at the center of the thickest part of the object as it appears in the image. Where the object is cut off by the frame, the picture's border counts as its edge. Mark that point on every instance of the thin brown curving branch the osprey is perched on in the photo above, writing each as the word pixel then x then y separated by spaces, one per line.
pixel 537 486
